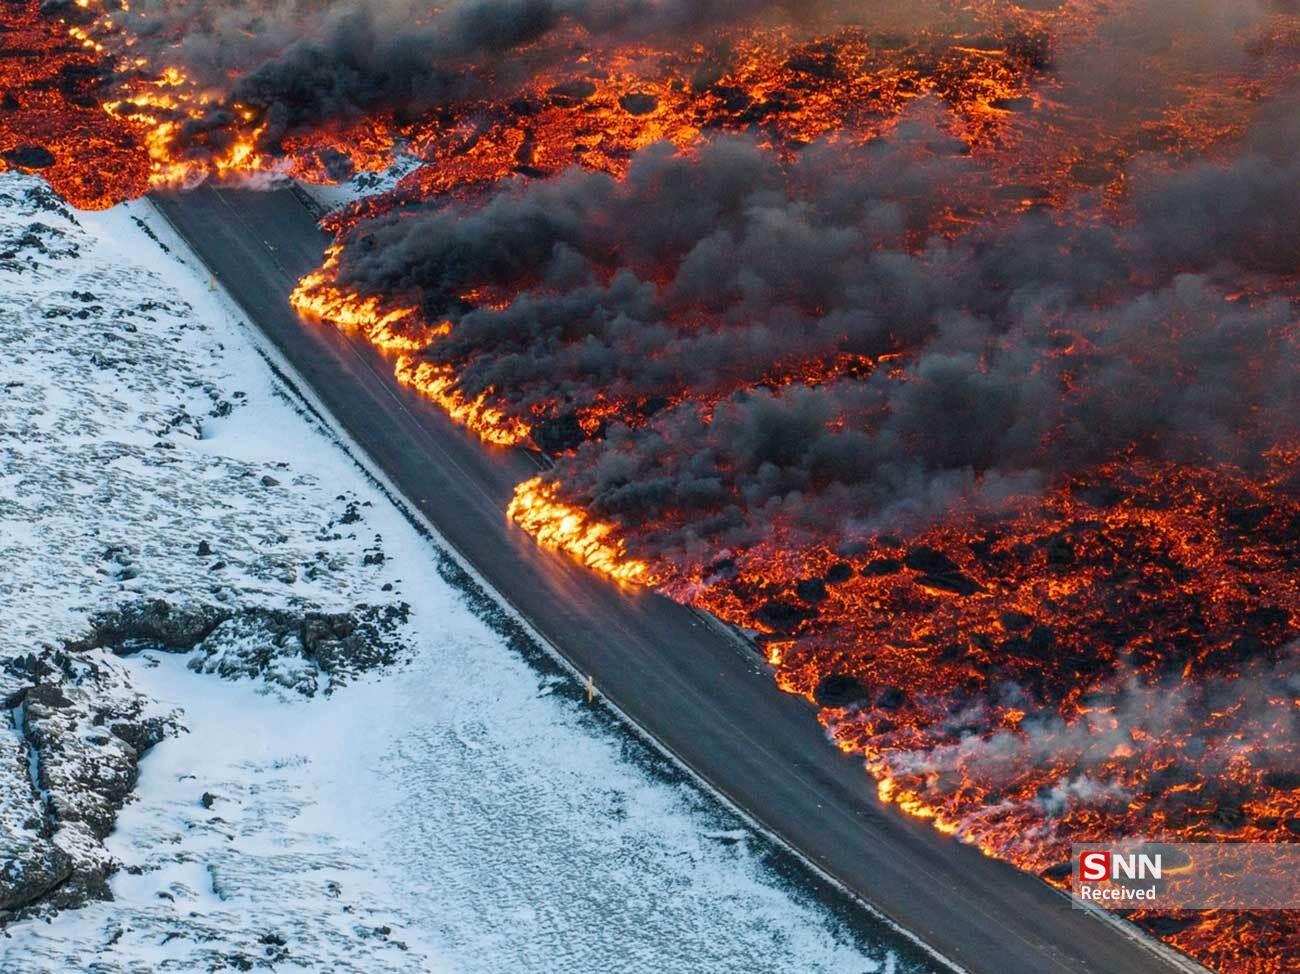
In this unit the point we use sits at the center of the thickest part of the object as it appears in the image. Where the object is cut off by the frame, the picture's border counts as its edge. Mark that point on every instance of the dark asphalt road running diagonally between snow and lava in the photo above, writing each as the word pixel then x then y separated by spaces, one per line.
pixel 700 694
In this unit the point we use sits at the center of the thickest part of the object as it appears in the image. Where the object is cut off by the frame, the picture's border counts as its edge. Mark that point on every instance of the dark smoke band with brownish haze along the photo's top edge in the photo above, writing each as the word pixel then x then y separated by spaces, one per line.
pixel 301 66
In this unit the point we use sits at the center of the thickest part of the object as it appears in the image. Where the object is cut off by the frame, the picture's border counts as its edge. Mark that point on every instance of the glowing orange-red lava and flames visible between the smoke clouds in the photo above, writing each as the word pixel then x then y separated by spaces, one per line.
pixel 1167 564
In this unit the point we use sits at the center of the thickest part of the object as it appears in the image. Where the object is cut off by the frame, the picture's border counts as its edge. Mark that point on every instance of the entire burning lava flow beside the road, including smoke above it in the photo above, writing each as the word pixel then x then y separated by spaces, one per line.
pixel 954 354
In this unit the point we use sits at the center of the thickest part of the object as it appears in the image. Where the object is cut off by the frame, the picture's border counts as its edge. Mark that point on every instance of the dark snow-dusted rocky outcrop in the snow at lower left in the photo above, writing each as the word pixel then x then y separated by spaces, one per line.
pixel 79 729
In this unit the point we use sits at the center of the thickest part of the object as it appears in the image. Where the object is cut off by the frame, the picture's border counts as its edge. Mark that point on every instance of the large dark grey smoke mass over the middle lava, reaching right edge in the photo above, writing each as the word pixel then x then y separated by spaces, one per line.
pixel 703 278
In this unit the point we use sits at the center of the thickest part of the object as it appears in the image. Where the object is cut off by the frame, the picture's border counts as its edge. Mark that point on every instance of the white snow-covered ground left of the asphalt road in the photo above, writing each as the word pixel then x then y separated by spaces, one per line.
pixel 458 809
